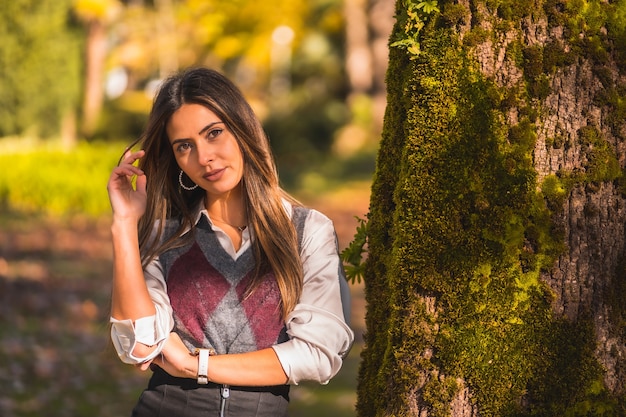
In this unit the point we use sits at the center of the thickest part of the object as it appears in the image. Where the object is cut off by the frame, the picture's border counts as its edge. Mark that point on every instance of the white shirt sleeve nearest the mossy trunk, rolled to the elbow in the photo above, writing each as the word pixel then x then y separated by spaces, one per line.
pixel 319 335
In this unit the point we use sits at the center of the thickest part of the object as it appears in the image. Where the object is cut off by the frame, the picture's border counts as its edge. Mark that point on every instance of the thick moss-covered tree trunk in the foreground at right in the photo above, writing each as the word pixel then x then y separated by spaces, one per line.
pixel 496 273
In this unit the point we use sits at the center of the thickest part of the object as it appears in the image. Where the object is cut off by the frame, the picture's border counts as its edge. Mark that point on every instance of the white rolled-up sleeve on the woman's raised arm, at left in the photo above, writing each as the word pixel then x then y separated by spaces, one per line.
pixel 151 330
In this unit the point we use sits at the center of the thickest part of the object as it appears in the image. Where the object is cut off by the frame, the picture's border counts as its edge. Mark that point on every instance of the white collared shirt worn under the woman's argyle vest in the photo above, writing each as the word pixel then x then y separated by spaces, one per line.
pixel 319 337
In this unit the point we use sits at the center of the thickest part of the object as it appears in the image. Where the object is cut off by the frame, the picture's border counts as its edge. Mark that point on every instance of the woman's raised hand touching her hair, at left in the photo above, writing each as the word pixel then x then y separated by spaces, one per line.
pixel 128 203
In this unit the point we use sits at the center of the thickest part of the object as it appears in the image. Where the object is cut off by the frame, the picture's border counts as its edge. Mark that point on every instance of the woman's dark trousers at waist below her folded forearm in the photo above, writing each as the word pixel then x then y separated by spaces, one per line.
pixel 167 396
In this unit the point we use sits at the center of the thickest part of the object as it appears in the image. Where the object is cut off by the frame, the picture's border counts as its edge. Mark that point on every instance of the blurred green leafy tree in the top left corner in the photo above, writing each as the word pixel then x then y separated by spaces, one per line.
pixel 39 68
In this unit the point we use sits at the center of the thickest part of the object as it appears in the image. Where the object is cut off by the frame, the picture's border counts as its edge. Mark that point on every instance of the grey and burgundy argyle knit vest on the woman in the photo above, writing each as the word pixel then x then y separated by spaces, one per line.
pixel 207 290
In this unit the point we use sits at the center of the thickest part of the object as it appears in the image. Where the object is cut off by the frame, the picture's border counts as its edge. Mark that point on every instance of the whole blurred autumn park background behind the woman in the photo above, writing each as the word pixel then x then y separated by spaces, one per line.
pixel 76 82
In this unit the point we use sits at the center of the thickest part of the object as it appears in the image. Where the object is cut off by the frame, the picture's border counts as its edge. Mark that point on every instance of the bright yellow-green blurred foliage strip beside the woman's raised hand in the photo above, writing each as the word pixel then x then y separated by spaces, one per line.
pixel 51 180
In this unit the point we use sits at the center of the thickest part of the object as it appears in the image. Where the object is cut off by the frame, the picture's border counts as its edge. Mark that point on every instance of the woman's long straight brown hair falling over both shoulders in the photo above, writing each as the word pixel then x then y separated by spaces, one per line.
pixel 275 244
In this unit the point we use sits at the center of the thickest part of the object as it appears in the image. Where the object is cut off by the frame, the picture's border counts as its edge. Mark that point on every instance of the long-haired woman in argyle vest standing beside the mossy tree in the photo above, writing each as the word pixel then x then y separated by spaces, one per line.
pixel 223 284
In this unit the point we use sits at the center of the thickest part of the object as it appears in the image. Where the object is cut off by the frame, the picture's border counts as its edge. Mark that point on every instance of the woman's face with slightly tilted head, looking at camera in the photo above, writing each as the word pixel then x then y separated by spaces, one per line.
pixel 206 150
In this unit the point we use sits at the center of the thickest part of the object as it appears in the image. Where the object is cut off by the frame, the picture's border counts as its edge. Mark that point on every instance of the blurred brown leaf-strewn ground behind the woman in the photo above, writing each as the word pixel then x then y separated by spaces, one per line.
pixel 55 355
